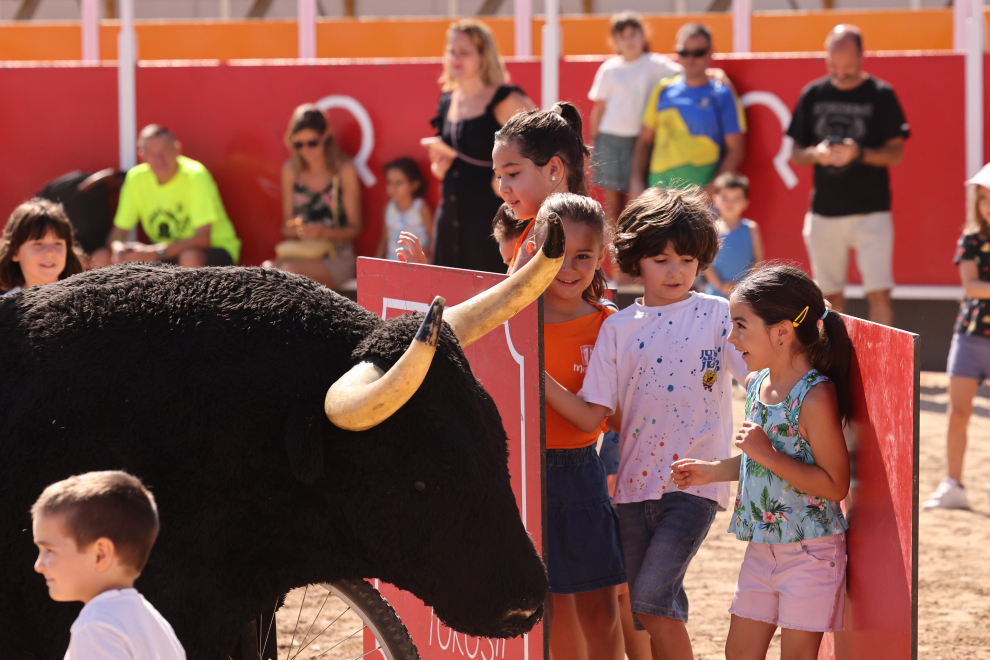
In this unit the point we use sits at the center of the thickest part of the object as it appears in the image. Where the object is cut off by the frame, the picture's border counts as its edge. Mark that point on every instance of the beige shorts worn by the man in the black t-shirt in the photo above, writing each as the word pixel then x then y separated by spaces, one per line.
pixel 829 240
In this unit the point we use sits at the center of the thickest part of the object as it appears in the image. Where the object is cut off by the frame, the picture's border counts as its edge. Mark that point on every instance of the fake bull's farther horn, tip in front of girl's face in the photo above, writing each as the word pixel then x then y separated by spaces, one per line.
pixel 478 316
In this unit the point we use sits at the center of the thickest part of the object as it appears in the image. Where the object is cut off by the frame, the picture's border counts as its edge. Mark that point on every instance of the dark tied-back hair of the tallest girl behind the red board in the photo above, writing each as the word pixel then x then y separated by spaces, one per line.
pixel 542 134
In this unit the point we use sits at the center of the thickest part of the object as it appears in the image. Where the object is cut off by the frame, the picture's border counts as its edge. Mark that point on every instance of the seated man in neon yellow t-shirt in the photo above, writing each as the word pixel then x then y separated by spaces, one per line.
pixel 178 205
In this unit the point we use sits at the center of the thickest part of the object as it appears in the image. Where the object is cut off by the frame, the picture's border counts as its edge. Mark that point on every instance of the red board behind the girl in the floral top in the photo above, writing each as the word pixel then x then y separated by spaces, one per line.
pixel 881 616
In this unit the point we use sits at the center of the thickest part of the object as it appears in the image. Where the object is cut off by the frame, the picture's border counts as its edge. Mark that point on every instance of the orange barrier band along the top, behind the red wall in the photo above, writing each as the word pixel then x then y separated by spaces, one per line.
pixel 928 29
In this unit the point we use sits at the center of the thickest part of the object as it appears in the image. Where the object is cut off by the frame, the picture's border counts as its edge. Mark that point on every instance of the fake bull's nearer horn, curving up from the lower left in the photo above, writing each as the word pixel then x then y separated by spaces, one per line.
pixel 366 396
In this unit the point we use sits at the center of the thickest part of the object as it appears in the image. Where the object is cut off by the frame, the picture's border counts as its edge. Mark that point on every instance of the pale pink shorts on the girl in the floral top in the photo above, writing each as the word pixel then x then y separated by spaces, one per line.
pixel 801 586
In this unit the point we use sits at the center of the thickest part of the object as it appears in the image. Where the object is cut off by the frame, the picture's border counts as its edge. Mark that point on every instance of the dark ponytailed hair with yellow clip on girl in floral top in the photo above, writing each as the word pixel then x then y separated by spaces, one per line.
pixel 779 293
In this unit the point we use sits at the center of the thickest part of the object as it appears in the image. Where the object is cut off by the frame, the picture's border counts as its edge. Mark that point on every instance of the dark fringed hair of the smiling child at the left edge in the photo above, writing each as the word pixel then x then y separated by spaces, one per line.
pixel 29 222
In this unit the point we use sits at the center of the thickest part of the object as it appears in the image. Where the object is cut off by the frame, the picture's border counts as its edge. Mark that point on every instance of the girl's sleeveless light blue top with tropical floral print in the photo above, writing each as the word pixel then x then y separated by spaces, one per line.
pixel 767 508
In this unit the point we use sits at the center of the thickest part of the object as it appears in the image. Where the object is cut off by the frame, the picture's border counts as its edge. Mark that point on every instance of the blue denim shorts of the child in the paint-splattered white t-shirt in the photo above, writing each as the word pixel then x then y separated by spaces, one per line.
pixel 660 538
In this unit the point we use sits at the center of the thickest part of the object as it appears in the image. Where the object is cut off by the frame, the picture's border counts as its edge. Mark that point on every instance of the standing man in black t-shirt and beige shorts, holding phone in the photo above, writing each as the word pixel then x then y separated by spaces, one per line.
pixel 850 126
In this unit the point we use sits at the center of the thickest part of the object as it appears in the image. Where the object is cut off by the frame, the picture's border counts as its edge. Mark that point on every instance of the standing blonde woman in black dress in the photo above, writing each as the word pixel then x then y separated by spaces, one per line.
pixel 474 104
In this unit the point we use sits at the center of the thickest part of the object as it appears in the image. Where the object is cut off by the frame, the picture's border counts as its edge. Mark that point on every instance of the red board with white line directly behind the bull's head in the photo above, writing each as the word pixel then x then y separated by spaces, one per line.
pixel 509 363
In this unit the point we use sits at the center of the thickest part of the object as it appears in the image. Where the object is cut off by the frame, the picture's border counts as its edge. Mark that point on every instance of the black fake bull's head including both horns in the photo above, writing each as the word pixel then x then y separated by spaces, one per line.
pixel 449 474
